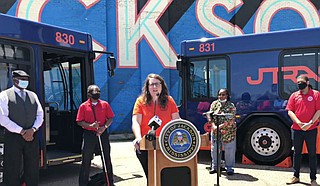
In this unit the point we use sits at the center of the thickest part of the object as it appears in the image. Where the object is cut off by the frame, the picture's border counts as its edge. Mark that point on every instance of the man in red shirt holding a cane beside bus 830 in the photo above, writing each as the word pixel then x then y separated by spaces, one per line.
pixel 94 116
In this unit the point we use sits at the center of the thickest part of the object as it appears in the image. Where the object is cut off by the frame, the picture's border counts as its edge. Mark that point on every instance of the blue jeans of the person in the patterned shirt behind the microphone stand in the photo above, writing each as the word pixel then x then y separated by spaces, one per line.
pixel 229 153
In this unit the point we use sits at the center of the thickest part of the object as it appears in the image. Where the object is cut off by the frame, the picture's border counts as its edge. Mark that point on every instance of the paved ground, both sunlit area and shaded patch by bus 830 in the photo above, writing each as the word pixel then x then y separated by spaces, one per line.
pixel 128 171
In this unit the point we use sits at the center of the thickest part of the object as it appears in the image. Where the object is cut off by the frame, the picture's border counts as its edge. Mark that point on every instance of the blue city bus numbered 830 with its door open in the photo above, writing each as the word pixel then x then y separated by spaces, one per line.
pixel 60 64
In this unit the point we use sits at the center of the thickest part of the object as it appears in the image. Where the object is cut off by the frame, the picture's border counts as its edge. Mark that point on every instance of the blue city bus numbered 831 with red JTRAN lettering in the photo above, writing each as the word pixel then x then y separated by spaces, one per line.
pixel 260 71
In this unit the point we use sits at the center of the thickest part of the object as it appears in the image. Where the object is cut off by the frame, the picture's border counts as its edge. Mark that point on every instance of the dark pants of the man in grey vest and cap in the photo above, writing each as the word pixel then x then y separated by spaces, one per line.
pixel 20 156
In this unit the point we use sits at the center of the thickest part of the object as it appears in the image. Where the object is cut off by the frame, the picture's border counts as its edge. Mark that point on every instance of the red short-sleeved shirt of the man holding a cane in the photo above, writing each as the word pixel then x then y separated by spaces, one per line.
pixel 102 109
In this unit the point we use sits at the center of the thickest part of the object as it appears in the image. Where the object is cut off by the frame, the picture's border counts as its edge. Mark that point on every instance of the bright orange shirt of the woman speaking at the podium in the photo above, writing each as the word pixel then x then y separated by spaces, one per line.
pixel 147 112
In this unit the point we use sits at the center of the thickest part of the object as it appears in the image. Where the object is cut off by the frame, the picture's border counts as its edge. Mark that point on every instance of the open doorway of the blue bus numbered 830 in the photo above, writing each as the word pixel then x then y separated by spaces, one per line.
pixel 64 75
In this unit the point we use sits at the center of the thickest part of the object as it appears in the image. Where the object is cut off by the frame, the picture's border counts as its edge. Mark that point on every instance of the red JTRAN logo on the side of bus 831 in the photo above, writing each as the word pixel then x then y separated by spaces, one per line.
pixel 292 75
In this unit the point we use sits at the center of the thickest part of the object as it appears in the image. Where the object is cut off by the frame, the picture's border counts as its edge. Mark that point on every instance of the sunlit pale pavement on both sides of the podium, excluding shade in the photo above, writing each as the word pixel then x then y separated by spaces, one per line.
pixel 127 170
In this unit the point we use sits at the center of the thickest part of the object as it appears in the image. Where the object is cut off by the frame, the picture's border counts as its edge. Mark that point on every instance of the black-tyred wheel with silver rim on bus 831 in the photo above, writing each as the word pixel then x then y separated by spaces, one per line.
pixel 267 141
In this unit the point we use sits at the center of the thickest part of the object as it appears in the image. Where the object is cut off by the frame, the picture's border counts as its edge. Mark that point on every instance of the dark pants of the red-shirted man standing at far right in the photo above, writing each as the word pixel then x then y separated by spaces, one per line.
pixel 298 137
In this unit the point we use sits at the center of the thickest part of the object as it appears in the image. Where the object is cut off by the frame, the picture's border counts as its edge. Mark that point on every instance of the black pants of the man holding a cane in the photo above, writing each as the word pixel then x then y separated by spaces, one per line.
pixel 90 143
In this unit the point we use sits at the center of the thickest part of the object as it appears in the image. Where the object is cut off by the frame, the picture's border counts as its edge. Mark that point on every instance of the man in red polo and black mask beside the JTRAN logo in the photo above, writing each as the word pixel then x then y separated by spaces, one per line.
pixel 304 110
